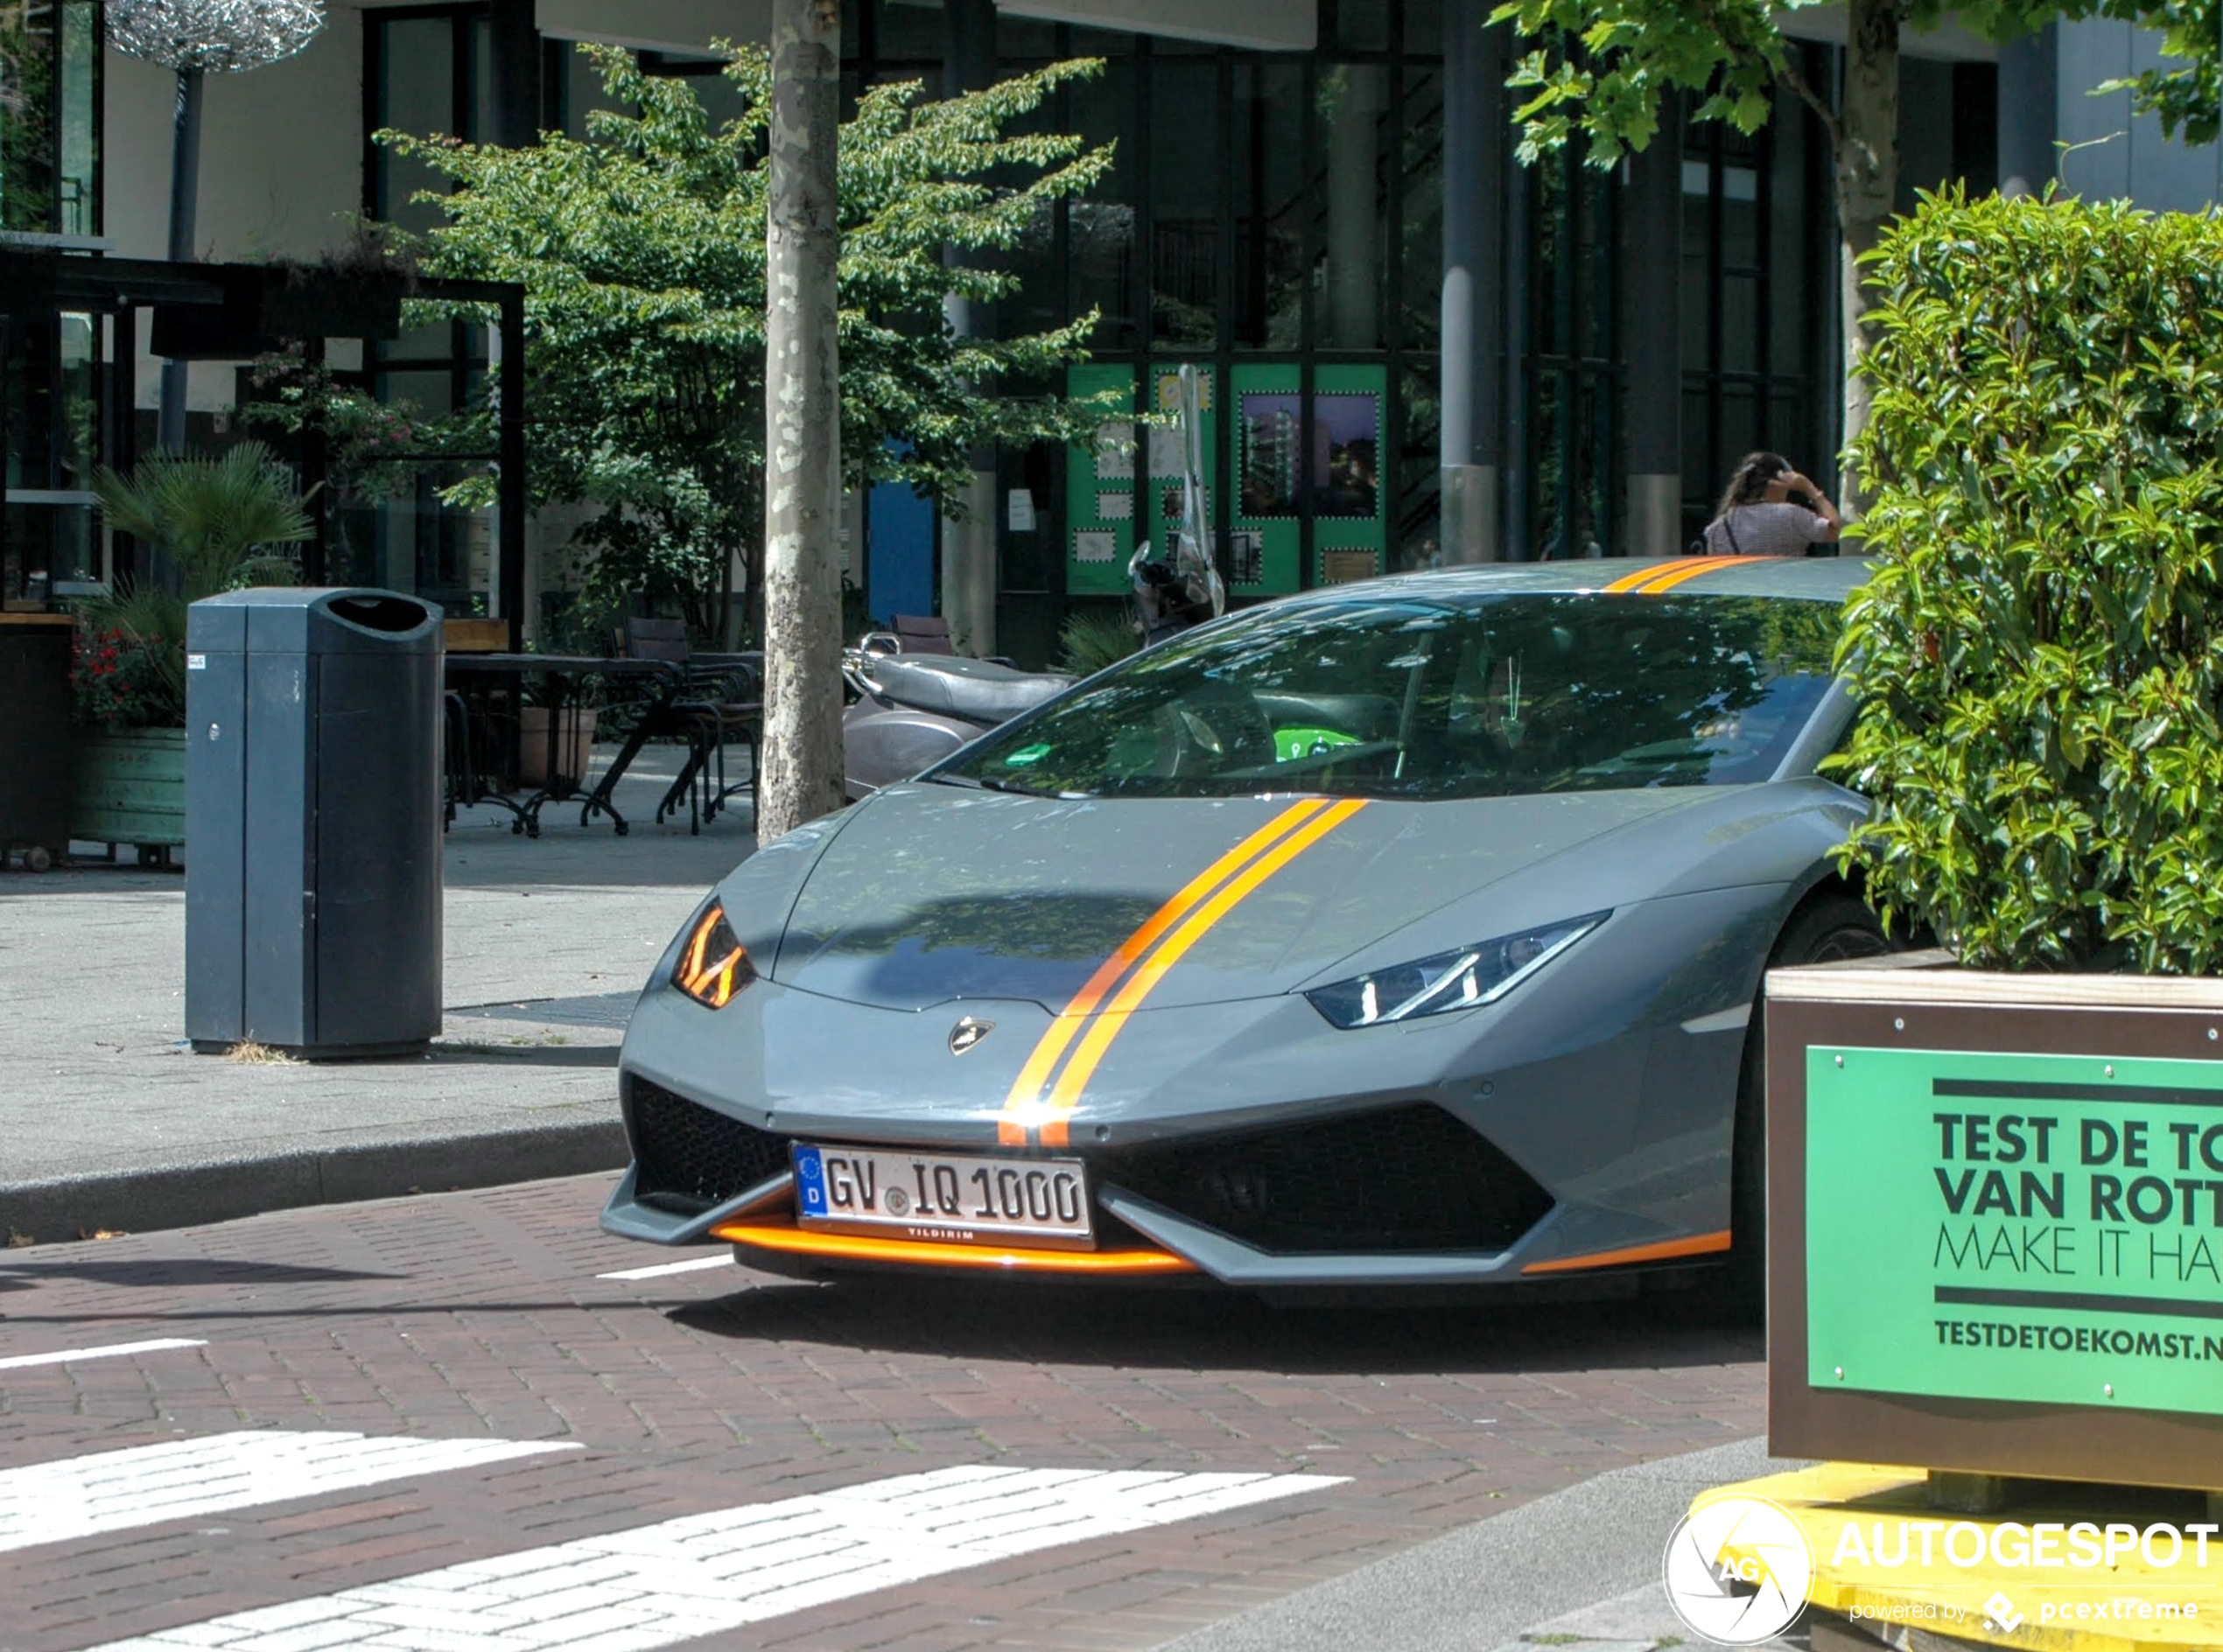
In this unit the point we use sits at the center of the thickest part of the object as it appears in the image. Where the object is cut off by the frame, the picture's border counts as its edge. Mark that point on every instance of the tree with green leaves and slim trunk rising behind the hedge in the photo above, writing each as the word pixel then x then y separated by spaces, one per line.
pixel 1615 68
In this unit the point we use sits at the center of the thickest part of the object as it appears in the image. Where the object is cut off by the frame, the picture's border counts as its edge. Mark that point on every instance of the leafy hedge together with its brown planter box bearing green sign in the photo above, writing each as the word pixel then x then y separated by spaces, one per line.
pixel 1995 1173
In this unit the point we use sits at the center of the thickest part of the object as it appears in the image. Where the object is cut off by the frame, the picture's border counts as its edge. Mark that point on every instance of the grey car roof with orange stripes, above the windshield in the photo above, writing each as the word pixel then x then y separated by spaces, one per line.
pixel 1804 579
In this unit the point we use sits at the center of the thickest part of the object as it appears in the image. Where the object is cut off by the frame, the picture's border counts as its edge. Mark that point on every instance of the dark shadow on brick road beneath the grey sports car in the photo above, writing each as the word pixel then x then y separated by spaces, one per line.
pixel 1202 1328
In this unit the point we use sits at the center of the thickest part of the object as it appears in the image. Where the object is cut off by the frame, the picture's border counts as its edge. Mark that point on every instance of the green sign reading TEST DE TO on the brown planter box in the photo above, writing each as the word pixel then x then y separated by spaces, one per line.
pixel 2015 1228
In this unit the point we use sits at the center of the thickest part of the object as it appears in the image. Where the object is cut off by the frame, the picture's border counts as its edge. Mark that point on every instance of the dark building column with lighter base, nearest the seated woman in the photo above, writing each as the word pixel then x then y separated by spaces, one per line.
pixel 1653 341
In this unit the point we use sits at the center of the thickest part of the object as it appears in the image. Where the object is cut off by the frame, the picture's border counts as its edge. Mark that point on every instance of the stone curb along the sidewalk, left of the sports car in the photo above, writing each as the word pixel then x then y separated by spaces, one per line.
pixel 143 1202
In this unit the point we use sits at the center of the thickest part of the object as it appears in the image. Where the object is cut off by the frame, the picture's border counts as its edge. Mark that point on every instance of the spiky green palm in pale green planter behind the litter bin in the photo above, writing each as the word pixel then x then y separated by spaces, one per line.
pixel 217 521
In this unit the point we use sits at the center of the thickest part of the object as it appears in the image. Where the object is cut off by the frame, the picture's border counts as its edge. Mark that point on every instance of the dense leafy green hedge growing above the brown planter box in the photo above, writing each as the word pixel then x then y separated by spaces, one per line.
pixel 2040 650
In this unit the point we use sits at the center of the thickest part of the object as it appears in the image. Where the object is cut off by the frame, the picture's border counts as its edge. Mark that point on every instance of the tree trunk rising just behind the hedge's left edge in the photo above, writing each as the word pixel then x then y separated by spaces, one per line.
pixel 1866 188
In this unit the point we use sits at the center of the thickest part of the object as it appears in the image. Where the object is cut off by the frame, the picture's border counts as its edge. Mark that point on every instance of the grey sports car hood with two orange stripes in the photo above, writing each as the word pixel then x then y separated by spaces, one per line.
pixel 935 893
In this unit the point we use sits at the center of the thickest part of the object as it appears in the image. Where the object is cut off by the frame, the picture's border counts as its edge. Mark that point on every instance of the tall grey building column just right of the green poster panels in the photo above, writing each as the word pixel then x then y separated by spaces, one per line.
pixel 1473 439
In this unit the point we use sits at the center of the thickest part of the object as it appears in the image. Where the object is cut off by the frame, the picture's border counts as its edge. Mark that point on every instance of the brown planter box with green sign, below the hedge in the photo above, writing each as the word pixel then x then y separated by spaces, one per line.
pixel 1995 1224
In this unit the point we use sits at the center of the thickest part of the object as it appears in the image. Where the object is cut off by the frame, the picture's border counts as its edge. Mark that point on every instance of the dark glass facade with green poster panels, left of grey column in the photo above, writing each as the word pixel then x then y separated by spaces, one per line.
pixel 1270 219
